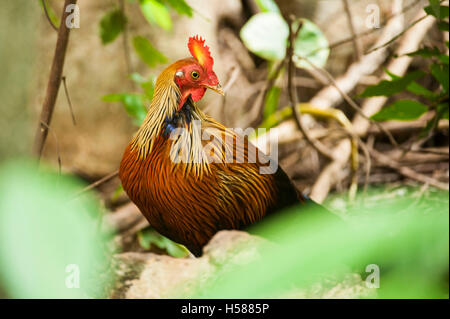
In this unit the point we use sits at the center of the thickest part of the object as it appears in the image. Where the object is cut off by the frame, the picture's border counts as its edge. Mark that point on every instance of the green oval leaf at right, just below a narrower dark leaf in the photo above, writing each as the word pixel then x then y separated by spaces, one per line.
pixel 401 110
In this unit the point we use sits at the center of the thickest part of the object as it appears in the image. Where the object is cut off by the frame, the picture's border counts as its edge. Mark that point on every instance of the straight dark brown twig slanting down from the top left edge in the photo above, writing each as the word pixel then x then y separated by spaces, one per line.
pixel 53 83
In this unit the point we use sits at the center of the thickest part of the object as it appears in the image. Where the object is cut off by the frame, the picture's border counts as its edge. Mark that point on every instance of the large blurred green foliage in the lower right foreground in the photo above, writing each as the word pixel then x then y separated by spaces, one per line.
pixel 407 238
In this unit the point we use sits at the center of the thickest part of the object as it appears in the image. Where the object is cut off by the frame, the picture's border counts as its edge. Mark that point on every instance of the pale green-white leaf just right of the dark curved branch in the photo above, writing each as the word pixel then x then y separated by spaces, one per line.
pixel 312 44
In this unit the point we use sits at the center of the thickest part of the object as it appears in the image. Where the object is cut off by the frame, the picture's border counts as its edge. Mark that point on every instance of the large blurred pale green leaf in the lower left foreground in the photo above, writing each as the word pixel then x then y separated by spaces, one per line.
pixel 46 236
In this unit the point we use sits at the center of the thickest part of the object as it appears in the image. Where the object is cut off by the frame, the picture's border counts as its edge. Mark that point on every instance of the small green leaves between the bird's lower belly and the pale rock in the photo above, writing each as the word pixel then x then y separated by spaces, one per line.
pixel 149 237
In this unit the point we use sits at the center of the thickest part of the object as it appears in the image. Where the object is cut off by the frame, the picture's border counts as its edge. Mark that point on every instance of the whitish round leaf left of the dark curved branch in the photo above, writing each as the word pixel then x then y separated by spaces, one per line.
pixel 265 34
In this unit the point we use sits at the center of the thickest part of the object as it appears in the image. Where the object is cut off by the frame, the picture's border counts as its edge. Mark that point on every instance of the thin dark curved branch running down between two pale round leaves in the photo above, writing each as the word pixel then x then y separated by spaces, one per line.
pixel 292 90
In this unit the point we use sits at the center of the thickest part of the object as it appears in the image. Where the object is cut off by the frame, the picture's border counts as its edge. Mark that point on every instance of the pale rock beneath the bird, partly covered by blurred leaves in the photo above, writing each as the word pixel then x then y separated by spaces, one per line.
pixel 148 275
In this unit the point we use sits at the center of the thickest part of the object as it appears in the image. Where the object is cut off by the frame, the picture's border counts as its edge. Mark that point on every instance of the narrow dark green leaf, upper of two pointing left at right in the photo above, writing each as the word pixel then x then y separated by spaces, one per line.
pixel 388 88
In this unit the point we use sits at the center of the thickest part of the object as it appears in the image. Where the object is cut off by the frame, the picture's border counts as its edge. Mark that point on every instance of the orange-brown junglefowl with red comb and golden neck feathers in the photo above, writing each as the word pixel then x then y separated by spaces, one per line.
pixel 185 185
